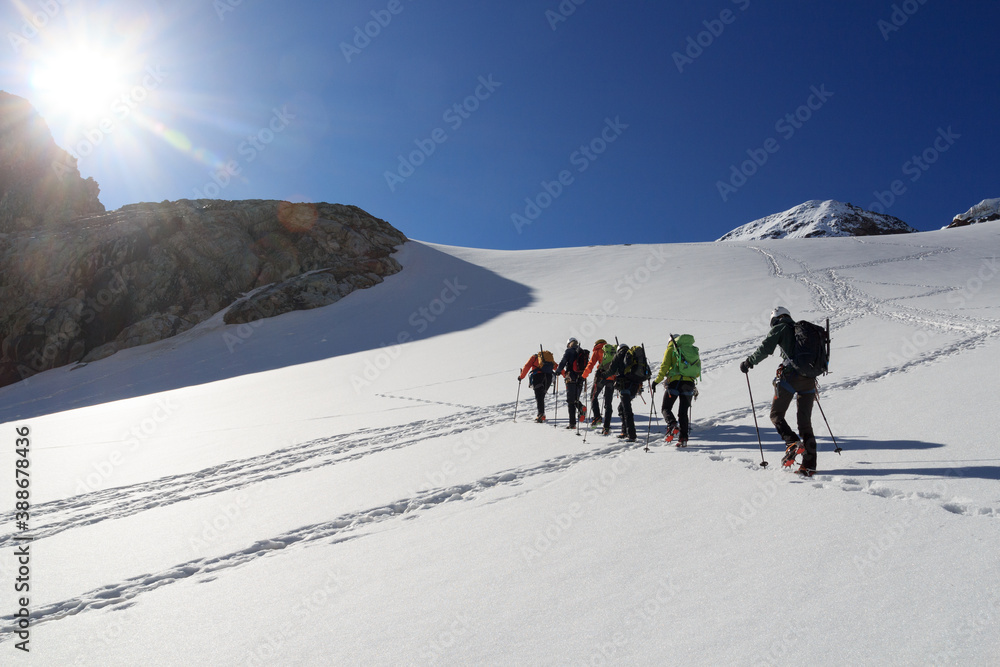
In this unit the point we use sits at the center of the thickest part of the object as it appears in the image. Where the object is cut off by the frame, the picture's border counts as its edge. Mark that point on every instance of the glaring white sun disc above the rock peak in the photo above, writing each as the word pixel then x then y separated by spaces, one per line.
pixel 81 82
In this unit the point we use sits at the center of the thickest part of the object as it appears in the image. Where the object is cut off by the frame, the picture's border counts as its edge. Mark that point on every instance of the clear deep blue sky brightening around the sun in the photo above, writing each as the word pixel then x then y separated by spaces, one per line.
pixel 530 123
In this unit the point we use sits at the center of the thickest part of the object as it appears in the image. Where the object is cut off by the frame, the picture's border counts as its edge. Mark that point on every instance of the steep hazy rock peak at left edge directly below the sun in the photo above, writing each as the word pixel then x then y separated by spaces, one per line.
pixel 40 185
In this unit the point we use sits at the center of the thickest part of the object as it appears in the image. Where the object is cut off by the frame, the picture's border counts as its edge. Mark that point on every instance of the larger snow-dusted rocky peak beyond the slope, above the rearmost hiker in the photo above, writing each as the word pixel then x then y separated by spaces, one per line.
pixel 819 218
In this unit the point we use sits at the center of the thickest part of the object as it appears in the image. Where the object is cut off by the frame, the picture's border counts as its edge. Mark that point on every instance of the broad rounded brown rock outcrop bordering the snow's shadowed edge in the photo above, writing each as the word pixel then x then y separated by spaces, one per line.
pixel 85 289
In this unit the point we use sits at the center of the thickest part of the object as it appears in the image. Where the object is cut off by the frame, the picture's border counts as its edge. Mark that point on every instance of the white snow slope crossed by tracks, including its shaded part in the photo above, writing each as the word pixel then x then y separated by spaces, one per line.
pixel 348 485
